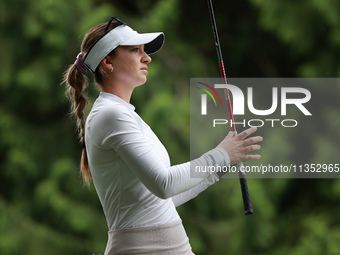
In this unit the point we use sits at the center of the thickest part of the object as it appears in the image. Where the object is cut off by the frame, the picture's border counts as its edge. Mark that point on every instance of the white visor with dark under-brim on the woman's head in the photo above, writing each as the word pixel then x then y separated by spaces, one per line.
pixel 125 36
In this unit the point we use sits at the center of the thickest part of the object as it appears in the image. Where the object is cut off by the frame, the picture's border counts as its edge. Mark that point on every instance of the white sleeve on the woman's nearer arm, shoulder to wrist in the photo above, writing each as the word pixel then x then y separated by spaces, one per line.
pixel 118 130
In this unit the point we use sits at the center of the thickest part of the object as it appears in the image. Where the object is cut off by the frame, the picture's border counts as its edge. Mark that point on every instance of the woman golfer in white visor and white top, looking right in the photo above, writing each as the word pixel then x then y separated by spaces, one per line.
pixel 130 168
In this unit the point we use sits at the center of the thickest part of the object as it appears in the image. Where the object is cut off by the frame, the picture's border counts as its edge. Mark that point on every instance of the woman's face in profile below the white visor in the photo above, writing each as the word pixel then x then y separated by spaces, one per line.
pixel 130 65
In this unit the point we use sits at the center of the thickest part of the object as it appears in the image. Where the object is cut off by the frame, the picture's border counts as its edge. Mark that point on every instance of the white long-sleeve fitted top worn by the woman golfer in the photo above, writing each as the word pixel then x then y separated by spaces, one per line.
pixel 131 169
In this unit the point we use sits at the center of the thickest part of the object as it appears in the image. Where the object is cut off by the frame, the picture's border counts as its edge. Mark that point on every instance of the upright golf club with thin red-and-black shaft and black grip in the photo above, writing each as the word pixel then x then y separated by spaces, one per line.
pixel 242 177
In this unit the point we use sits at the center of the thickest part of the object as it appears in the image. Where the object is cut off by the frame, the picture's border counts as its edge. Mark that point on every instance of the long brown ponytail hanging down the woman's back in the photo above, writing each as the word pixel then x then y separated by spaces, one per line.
pixel 77 83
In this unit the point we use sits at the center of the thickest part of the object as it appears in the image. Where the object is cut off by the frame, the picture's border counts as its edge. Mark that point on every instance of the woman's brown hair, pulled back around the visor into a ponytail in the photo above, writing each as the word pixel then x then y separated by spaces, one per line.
pixel 76 84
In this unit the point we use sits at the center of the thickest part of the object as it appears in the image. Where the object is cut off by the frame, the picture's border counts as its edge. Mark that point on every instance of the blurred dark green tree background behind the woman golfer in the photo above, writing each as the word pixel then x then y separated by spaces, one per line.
pixel 44 206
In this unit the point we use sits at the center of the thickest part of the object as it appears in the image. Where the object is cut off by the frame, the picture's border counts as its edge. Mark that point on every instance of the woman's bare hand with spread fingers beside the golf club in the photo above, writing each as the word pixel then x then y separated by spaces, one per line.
pixel 238 146
